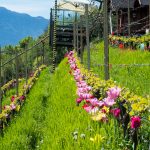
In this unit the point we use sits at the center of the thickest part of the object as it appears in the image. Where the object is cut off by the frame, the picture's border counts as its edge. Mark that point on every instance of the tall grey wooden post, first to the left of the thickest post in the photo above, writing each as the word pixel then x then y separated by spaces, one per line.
pixel 87 36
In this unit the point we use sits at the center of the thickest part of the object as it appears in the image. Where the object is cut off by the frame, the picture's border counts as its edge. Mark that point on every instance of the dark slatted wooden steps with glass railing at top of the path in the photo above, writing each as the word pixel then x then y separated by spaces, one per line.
pixel 64 28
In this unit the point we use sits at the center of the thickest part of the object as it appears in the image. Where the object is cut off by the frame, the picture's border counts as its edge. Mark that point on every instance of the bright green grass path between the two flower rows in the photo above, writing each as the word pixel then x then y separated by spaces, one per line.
pixel 50 116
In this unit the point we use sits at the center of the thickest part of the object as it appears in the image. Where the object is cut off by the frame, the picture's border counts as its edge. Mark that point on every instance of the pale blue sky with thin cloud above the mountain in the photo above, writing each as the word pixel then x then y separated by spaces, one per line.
pixel 31 7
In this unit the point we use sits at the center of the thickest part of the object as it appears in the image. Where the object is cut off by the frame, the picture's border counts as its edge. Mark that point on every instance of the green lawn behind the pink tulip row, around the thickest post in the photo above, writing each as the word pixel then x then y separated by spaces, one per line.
pixel 136 78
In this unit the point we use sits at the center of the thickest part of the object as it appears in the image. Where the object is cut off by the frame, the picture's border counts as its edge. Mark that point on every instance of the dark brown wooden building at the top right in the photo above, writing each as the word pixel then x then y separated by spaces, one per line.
pixel 139 16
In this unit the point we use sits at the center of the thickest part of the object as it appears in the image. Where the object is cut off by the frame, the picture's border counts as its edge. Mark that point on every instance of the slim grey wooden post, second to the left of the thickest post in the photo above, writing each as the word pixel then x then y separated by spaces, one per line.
pixel 81 39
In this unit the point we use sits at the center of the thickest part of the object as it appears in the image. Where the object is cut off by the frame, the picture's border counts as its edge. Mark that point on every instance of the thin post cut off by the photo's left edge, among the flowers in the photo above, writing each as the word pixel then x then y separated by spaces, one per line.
pixel 1 123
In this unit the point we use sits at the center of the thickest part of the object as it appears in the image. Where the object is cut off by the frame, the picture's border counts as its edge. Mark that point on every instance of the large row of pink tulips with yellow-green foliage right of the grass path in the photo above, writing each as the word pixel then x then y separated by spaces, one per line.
pixel 103 99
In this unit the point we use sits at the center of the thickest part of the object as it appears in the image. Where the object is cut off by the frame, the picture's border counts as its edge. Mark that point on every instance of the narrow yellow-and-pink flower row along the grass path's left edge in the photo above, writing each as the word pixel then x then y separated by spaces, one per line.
pixel 17 101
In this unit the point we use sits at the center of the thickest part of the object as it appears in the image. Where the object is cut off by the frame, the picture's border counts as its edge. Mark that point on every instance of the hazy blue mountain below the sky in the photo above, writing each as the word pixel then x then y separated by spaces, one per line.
pixel 15 26
